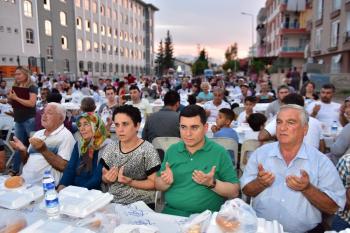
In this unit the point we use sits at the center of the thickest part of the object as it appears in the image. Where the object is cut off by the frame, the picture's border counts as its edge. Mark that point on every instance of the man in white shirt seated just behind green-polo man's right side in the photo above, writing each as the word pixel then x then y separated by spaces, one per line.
pixel 212 107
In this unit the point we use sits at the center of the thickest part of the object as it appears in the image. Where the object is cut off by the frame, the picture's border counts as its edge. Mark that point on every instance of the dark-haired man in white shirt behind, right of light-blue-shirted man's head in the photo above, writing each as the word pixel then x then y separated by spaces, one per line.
pixel 325 110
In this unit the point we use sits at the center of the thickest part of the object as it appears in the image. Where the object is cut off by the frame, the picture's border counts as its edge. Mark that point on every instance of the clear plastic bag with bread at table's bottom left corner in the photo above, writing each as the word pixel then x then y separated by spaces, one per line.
pixel 13 223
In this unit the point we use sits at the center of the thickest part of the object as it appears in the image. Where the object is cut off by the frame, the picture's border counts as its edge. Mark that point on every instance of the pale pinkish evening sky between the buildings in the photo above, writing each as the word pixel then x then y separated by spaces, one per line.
pixel 209 24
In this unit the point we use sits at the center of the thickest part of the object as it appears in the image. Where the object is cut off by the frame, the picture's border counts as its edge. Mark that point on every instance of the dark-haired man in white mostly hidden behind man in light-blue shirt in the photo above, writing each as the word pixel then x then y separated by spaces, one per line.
pixel 314 134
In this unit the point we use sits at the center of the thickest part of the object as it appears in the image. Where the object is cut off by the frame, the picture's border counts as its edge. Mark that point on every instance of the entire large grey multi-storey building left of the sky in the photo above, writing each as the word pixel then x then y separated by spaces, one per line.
pixel 106 38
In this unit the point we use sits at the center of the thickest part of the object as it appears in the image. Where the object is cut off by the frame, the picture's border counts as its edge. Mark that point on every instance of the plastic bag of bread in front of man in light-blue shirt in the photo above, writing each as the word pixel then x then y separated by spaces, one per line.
pixel 236 216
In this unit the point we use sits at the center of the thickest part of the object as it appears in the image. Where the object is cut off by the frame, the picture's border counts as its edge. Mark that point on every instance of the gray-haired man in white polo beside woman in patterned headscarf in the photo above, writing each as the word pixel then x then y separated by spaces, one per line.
pixel 49 149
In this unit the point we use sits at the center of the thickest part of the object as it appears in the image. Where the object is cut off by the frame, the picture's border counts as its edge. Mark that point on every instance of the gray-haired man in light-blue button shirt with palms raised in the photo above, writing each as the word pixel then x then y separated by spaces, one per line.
pixel 292 182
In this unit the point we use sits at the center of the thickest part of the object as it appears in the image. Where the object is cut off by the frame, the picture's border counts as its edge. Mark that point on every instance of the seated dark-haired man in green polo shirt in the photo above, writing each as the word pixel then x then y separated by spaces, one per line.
pixel 197 174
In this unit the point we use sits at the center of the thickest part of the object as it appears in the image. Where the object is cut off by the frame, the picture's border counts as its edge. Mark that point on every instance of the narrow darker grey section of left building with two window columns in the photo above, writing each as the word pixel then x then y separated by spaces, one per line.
pixel 56 22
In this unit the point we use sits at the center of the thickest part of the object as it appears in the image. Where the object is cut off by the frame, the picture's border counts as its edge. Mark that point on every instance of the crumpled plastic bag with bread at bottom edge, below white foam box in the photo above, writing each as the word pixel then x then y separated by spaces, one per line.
pixel 105 221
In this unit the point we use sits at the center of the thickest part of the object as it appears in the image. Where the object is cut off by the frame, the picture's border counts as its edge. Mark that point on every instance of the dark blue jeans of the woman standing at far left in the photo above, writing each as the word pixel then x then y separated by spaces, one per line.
pixel 22 132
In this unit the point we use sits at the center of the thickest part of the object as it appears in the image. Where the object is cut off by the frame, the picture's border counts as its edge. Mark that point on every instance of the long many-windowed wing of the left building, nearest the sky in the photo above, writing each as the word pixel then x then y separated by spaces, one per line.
pixel 114 37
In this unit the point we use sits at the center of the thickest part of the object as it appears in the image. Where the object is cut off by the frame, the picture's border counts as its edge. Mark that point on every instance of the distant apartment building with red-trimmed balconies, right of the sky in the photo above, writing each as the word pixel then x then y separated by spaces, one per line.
pixel 286 30
